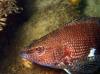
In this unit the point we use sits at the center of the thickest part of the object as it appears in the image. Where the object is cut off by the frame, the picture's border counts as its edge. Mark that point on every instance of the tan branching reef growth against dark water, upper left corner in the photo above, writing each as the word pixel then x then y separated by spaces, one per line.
pixel 7 7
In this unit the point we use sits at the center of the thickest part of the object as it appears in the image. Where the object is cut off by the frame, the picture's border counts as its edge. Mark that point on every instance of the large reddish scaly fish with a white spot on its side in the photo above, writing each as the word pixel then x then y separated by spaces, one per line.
pixel 74 47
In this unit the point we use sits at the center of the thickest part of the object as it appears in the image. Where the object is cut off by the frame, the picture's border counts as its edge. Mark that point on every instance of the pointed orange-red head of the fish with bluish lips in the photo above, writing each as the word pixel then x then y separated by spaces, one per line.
pixel 39 55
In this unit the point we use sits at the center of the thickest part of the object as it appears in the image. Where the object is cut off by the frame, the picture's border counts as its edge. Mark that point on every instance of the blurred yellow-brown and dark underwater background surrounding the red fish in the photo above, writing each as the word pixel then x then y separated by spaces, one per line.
pixel 38 18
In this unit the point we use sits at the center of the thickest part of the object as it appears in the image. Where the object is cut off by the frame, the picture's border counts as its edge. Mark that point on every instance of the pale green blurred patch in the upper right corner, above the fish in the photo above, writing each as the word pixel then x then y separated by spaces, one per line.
pixel 93 8
